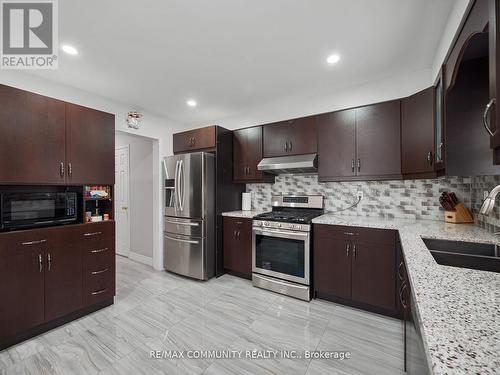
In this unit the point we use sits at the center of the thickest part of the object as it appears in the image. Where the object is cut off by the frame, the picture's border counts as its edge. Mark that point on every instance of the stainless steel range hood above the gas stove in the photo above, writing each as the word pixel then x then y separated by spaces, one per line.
pixel 290 164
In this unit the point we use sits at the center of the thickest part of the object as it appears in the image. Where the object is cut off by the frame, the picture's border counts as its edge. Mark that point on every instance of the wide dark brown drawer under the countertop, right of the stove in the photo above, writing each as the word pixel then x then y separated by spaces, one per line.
pixel 374 236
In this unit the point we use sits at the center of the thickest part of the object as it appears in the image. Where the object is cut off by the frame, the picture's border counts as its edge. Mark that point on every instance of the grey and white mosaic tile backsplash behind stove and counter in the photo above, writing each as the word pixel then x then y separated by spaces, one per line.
pixel 412 199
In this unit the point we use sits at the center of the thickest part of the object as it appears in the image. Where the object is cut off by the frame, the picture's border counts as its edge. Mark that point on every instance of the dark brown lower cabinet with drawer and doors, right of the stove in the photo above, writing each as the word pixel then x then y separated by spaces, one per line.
pixel 356 266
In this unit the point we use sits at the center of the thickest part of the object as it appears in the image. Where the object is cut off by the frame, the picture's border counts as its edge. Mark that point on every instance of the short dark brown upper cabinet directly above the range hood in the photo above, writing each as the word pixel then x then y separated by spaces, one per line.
pixel 291 137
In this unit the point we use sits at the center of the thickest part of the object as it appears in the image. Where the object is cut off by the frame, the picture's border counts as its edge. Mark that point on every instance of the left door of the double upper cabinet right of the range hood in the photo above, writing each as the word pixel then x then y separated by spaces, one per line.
pixel 336 145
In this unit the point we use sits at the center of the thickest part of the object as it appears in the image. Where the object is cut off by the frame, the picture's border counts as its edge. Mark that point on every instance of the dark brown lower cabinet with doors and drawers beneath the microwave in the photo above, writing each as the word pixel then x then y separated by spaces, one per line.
pixel 52 275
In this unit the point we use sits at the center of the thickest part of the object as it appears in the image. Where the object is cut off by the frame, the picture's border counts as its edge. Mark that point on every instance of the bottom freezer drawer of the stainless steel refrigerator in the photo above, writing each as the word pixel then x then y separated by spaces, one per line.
pixel 185 256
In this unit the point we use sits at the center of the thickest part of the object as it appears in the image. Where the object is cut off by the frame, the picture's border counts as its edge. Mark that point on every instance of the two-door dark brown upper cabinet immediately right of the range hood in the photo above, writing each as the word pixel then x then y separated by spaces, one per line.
pixel 361 143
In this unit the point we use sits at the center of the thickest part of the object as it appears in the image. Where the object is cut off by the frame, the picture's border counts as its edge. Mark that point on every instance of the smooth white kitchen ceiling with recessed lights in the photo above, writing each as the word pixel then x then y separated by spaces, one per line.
pixel 233 55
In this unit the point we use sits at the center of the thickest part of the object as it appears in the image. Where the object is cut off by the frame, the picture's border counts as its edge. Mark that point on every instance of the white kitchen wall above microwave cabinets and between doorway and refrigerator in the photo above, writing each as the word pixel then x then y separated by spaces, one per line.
pixel 153 126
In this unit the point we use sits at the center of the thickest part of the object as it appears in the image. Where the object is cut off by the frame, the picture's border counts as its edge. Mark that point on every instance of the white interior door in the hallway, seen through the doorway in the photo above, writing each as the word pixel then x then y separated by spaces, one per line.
pixel 122 187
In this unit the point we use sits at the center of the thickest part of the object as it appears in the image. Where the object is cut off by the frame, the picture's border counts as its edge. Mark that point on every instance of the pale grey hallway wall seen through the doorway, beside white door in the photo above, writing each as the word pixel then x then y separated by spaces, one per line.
pixel 140 194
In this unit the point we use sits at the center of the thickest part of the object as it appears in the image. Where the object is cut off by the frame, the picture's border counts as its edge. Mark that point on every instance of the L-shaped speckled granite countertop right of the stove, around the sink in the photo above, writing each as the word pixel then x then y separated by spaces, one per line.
pixel 458 310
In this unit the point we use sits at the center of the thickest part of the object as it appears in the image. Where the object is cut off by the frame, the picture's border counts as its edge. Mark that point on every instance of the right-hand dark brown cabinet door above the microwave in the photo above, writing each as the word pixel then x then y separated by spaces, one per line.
pixel 90 146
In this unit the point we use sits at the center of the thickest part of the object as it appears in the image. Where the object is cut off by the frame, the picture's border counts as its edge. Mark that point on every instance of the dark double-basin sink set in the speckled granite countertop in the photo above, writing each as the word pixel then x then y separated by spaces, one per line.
pixel 477 256
